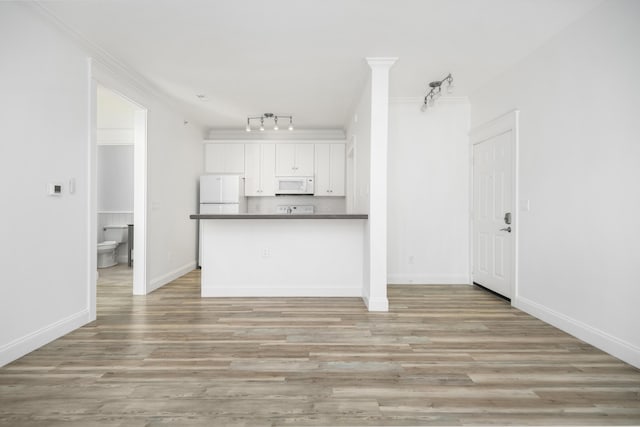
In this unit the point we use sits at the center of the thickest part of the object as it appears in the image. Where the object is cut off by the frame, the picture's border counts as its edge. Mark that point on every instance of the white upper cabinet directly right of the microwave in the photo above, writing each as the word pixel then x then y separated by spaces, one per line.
pixel 330 169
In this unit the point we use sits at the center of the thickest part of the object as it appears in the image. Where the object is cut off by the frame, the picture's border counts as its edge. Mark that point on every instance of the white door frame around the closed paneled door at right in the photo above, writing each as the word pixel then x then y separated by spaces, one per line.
pixel 508 122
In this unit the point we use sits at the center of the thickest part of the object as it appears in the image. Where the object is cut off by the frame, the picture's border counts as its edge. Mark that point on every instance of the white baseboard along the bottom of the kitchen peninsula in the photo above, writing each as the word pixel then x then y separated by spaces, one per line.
pixel 235 291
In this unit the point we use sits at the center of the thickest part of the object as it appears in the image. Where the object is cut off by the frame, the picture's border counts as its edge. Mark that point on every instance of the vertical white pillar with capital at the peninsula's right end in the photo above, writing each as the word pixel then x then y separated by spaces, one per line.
pixel 376 297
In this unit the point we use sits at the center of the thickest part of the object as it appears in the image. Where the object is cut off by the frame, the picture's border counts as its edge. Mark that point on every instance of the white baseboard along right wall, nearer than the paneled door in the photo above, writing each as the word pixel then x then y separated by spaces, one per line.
pixel 616 347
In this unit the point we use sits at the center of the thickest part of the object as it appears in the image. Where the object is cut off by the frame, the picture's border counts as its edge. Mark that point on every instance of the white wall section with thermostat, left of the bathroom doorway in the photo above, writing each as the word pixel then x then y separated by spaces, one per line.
pixel 44 120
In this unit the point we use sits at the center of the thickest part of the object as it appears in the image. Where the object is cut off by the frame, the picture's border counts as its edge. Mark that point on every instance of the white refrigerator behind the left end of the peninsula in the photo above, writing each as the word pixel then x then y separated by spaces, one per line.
pixel 220 194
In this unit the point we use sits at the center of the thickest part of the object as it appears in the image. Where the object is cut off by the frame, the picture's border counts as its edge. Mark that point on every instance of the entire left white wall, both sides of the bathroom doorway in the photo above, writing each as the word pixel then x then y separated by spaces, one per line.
pixel 44 113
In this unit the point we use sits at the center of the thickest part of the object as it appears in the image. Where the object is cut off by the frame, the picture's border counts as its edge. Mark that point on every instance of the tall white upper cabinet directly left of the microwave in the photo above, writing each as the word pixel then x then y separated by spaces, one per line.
pixel 260 165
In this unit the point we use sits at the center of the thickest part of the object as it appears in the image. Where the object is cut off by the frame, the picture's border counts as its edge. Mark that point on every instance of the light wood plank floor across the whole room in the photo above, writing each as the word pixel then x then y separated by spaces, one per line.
pixel 443 355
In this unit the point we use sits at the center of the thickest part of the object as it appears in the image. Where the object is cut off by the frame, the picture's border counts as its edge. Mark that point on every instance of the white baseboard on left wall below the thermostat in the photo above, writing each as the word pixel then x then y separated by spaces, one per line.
pixel 34 340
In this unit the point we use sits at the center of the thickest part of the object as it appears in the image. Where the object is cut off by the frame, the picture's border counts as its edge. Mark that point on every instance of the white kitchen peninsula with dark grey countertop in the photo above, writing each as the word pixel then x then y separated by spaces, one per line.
pixel 261 255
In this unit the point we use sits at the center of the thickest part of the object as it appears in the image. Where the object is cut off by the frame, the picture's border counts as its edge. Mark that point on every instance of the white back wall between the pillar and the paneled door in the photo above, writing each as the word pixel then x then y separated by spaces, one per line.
pixel 428 181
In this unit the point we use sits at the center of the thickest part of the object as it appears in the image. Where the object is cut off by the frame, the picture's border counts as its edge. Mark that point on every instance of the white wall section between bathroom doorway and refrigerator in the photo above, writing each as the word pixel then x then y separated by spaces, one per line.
pixel 174 167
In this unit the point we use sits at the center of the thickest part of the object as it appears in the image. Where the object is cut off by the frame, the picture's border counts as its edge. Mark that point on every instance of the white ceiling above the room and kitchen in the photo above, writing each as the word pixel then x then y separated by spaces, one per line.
pixel 306 57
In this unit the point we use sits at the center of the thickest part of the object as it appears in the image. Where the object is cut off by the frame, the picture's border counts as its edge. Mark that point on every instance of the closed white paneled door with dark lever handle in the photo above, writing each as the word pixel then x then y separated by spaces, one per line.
pixel 493 213
